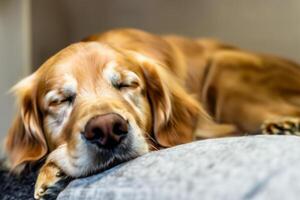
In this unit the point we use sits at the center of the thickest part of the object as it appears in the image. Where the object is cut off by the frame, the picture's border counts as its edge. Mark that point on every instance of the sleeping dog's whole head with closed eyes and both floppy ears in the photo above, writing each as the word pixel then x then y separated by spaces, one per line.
pixel 91 106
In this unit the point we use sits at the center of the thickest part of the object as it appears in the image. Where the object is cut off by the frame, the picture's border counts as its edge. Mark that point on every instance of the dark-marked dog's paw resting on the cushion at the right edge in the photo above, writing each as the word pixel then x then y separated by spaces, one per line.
pixel 282 126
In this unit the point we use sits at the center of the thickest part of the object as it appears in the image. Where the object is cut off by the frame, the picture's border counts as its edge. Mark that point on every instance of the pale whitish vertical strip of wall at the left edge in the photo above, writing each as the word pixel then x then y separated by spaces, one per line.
pixel 14 53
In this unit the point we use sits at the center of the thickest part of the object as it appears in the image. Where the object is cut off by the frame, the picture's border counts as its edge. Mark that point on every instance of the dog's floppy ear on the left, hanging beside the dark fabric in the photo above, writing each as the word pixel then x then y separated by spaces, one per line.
pixel 25 141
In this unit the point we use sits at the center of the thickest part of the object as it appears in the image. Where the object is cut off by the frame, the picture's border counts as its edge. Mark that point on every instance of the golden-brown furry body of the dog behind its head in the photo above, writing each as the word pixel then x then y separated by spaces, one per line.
pixel 237 88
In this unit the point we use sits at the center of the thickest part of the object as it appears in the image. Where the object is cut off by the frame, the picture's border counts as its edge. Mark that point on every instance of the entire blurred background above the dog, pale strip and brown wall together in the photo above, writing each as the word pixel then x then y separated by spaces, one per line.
pixel 33 30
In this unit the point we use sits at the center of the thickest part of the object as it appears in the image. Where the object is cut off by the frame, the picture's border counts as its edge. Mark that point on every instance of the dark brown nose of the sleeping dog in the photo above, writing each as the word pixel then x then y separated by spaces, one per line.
pixel 107 131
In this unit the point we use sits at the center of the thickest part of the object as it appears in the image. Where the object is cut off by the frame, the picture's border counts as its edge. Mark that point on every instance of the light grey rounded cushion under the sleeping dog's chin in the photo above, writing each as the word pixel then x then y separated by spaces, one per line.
pixel 250 167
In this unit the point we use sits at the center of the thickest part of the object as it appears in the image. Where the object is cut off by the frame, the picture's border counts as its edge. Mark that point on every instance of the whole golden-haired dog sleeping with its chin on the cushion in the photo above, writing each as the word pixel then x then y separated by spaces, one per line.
pixel 120 94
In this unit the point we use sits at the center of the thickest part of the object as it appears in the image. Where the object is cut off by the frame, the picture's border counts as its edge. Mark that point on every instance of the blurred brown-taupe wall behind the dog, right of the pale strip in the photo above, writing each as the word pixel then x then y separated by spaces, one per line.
pixel 271 26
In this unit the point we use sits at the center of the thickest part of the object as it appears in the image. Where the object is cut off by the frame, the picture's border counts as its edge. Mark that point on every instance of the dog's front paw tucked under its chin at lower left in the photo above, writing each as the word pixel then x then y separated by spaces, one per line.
pixel 50 182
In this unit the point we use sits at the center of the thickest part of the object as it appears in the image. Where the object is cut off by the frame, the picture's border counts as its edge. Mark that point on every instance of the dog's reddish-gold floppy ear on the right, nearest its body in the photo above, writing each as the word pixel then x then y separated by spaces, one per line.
pixel 175 112
